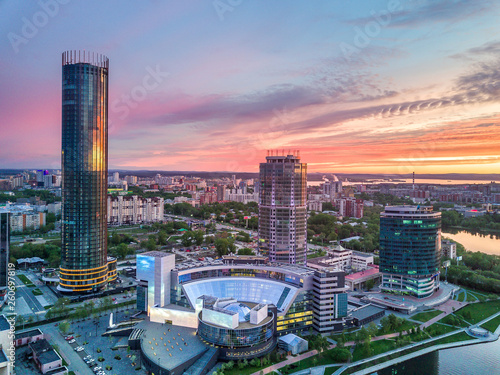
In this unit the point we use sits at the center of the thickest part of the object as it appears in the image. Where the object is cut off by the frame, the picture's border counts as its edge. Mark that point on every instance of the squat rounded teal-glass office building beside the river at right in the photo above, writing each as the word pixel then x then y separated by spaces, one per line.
pixel 410 250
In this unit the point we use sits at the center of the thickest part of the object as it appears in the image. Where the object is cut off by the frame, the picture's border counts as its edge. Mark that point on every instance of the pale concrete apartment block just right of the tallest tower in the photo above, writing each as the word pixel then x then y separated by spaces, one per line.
pixel 134 210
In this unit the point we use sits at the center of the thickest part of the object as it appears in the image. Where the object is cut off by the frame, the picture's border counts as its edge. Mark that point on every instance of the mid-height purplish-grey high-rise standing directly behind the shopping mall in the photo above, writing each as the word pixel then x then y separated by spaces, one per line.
pixel 283 209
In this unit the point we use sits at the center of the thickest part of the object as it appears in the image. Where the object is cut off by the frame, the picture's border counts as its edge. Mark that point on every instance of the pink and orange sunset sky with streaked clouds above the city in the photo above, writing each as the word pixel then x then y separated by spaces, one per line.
pixel 358 86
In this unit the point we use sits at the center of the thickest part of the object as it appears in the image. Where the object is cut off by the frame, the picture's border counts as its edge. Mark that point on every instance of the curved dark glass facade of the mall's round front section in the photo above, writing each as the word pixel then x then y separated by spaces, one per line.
pixel 236 338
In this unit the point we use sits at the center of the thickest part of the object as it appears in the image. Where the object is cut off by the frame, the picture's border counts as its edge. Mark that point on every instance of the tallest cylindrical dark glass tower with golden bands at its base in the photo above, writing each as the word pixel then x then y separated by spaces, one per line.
pixel 84 264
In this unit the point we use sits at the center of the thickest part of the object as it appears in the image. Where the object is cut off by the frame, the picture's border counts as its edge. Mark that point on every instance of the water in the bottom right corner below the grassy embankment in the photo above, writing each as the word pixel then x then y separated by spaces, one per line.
pixel 479 359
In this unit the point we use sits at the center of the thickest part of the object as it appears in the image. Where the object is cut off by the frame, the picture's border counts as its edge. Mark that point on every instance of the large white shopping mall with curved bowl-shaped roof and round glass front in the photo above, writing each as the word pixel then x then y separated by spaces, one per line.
pixel 240 304
